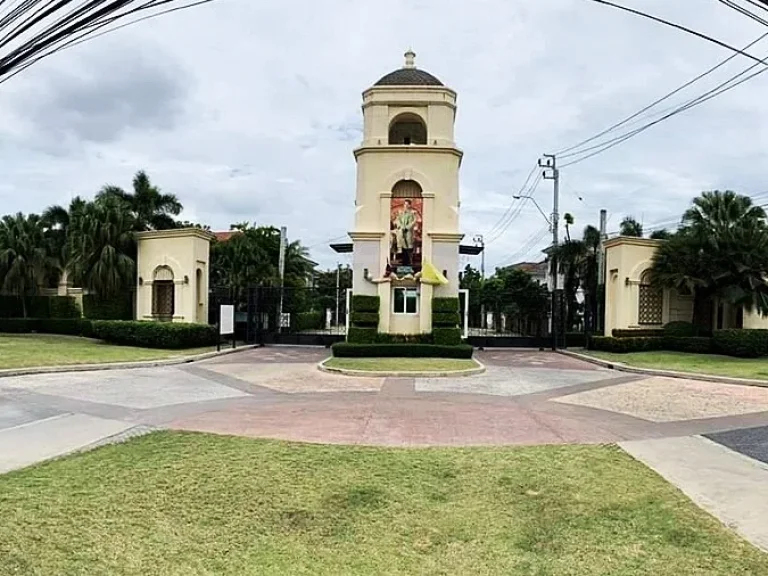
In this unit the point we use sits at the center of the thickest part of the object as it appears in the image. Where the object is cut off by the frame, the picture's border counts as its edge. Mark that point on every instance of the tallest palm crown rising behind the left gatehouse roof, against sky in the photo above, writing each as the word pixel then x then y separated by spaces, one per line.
pixel 152 209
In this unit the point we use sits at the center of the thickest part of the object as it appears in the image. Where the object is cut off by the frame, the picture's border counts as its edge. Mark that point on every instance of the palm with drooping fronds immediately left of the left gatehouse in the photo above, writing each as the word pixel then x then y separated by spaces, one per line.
pixel 102 246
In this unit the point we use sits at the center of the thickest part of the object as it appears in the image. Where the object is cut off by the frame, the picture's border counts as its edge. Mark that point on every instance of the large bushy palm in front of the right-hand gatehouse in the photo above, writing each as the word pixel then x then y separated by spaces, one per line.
pixel 720 251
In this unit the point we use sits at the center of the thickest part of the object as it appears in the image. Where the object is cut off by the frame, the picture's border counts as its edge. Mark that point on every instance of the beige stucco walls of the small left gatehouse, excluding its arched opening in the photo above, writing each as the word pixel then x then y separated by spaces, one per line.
pixel 185 251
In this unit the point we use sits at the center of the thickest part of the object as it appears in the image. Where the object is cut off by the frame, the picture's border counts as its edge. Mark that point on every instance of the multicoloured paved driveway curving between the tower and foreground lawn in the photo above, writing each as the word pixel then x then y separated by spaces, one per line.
pixel 523 398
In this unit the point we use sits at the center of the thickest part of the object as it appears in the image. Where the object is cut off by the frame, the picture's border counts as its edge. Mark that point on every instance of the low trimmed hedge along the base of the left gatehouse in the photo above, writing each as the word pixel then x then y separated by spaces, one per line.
pixel 155 334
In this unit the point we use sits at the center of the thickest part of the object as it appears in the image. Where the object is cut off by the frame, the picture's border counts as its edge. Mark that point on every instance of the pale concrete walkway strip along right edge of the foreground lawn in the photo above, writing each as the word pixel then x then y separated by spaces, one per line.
pixel 730 486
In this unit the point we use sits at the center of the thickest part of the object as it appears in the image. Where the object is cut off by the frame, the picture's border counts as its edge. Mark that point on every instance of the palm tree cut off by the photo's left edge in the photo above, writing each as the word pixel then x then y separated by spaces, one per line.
pixel 23 258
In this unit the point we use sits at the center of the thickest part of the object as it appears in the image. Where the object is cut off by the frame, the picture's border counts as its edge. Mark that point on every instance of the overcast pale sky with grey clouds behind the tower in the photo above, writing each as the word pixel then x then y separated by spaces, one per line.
pixel 249 111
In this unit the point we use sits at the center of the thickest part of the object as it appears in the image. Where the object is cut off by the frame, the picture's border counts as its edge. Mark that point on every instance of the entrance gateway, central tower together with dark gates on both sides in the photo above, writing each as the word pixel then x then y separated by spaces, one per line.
pixel 405 236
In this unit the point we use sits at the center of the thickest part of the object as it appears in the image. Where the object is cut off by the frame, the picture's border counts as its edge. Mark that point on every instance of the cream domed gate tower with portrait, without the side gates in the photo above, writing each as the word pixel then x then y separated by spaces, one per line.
pixel 406 232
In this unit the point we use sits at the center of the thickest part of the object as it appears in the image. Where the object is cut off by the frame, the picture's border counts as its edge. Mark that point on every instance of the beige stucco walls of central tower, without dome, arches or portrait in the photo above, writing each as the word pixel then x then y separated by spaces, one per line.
pixel 435 166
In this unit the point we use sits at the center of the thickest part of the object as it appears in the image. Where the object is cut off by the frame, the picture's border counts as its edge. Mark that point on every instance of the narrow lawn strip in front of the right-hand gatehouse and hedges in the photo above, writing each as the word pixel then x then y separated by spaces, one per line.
pixel 755 368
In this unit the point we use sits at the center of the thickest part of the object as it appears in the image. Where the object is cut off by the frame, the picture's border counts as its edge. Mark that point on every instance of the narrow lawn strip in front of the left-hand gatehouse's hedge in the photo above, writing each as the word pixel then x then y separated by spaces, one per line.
pixel 27 350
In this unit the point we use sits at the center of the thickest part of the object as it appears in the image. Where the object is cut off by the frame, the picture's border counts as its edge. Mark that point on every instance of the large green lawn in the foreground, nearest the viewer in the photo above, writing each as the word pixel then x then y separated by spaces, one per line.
pixel 188 504
